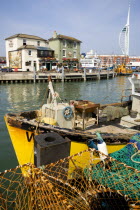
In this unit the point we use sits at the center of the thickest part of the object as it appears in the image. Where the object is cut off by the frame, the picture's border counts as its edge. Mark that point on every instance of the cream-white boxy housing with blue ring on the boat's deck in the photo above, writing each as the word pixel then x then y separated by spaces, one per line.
pixel 63 114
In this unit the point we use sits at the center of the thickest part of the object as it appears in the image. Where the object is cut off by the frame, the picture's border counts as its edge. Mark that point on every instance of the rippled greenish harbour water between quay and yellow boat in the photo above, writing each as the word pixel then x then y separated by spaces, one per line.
pixel 21 97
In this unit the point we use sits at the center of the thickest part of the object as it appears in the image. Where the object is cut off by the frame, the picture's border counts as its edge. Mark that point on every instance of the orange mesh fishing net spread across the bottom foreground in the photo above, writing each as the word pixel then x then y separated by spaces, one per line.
pixel 83 181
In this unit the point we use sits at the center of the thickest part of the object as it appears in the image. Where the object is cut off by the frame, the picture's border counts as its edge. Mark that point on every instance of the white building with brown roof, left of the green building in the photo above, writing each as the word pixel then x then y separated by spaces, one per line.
pixel 27 52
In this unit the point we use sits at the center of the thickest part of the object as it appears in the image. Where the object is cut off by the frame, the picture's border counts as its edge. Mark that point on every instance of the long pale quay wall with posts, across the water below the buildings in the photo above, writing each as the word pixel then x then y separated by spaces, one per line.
pixel 30 77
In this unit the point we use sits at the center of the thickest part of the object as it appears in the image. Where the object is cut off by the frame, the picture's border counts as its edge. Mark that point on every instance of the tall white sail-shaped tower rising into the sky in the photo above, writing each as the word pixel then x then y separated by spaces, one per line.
pixel 124 37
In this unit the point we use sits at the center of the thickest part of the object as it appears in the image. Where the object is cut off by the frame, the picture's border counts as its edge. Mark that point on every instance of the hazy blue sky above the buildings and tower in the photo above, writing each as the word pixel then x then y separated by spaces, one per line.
pixel 97 23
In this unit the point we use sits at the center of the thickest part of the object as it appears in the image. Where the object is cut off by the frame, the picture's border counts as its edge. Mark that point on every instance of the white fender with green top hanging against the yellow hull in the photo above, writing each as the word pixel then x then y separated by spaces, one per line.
pixel 101 145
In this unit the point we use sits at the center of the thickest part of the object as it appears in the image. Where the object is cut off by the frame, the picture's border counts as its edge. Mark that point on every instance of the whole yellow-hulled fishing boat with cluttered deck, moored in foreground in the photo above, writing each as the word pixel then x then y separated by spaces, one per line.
pixel 76 121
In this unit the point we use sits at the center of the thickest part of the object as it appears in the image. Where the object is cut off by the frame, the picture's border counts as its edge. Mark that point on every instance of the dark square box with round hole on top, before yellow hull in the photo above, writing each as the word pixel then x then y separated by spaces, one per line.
pixel 49 148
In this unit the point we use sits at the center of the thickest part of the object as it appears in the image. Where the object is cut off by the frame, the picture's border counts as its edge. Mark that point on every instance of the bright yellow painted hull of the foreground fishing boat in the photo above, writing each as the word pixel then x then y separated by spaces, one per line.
pixel 23 143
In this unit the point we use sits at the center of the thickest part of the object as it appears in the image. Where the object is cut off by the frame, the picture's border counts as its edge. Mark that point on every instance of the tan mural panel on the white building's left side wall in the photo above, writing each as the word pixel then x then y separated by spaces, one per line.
pixel 15 59
